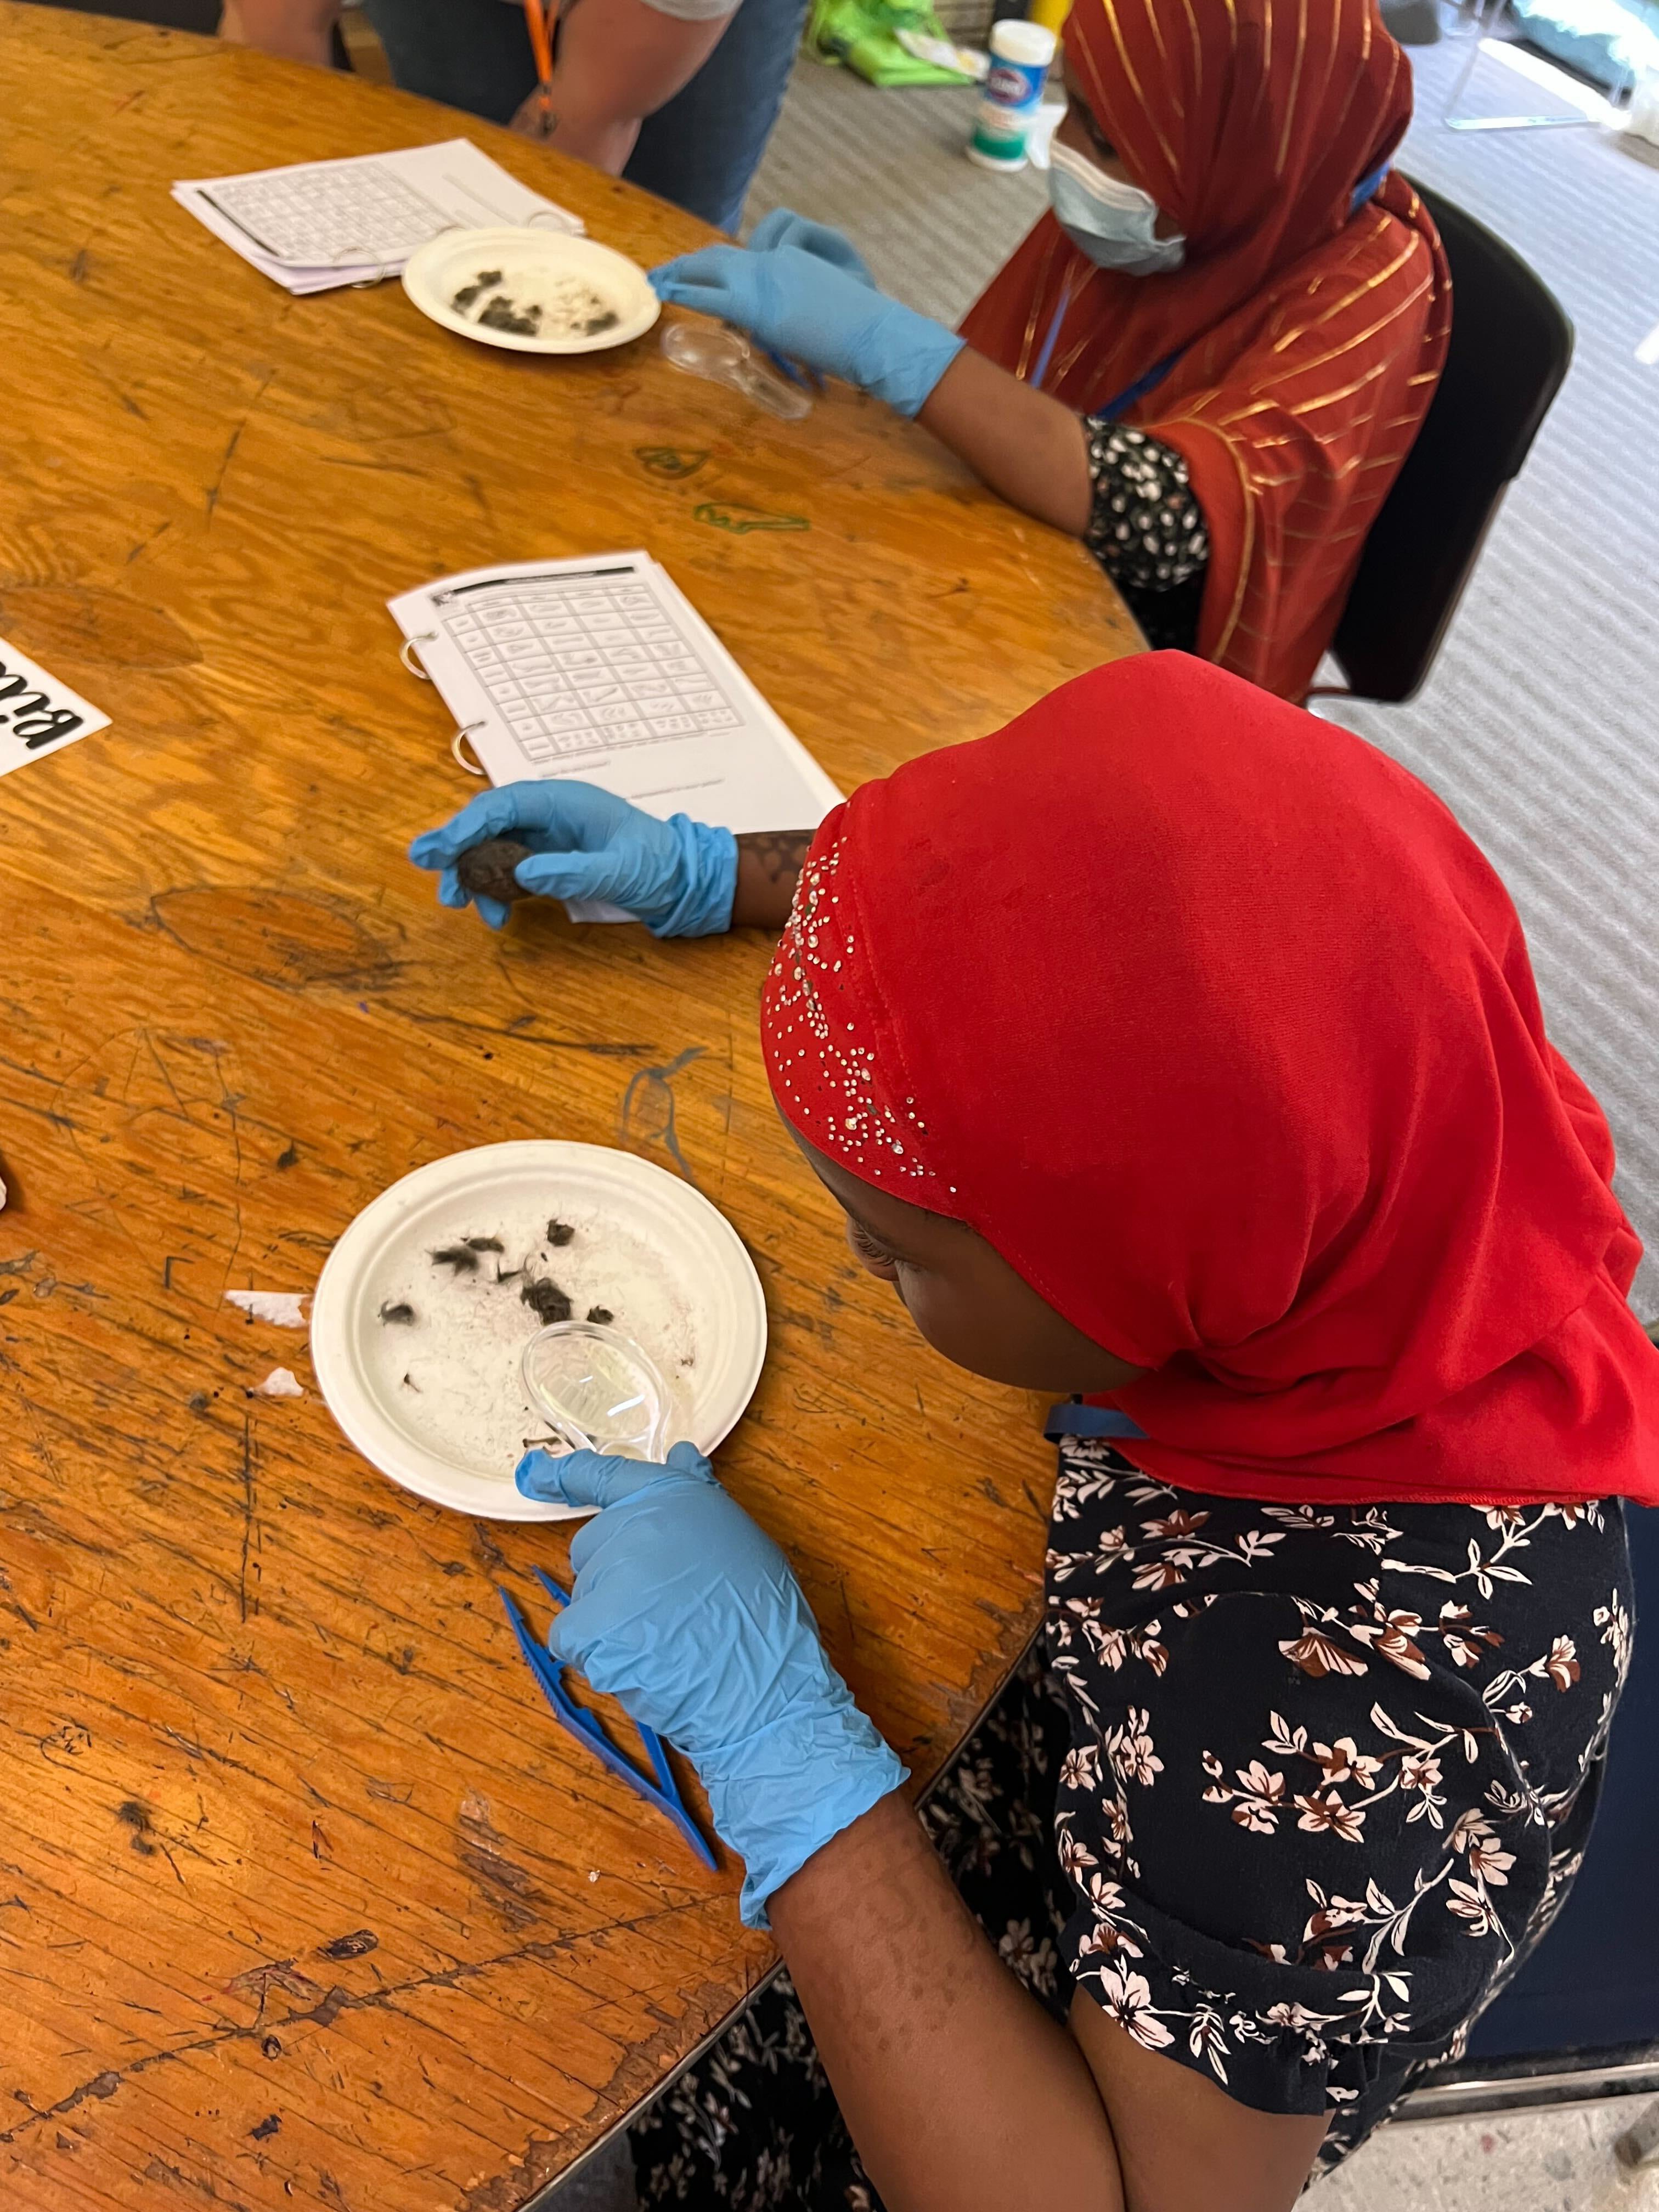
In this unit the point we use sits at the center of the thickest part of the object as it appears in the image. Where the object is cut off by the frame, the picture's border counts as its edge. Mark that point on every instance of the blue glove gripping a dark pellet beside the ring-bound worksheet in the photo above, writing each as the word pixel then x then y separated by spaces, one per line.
pixel 678 877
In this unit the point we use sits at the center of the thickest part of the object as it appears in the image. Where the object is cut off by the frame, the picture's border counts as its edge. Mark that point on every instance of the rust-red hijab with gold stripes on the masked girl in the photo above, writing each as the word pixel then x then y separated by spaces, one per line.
pixel 1308 342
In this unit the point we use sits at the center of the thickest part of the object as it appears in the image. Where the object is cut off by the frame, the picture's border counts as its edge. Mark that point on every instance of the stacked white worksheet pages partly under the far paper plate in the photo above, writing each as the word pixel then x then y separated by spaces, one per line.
pixel 320 225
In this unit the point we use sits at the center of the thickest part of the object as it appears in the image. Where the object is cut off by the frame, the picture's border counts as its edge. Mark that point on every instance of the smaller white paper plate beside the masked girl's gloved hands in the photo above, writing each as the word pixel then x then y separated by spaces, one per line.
pixel 530 269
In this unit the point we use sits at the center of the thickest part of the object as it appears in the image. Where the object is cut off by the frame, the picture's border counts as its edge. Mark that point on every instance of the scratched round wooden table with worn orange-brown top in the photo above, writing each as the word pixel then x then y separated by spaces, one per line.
pixel 302 1897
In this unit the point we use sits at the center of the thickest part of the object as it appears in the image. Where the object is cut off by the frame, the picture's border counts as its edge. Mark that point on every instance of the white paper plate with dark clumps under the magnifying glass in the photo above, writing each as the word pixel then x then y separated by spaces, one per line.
pixel 437 1401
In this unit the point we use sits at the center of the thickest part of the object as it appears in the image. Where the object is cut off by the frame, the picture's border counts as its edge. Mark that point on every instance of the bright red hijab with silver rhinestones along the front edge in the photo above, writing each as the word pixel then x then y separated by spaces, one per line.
pixel 1224 1034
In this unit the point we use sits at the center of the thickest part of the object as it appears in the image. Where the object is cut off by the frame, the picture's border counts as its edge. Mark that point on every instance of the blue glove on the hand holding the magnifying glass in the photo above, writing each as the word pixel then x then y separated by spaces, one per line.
pixel 693 1618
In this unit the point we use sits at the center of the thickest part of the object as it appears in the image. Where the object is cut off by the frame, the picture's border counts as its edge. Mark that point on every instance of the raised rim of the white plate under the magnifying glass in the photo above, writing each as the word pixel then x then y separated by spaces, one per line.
pixel 333 1361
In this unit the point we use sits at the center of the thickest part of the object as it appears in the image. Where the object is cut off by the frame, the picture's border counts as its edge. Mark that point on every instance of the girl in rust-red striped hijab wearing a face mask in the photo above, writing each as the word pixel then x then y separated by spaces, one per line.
pixel 1215 351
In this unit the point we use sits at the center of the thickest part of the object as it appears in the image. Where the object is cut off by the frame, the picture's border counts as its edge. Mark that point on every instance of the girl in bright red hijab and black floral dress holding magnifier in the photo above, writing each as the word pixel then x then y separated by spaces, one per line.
pixel 1176 1050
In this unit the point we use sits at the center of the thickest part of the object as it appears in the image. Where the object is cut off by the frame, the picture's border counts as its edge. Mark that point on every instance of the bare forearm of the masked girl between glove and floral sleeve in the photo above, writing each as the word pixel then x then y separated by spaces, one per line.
pixel 1023 444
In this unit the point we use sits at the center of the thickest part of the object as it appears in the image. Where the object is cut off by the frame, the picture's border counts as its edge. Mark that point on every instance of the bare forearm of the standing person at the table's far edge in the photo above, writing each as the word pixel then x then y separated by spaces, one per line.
pixel 618 63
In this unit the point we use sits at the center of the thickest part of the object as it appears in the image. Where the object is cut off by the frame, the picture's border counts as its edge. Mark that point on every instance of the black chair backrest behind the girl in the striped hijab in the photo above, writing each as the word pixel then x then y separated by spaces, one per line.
pixel 1507 359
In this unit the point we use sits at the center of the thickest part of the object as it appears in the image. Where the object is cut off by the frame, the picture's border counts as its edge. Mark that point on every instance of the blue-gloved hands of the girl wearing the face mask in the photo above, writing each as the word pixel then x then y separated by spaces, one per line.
pixel 813 300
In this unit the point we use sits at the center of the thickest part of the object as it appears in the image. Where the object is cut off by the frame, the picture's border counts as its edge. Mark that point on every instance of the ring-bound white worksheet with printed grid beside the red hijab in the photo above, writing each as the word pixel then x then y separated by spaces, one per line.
pixel 601 669
